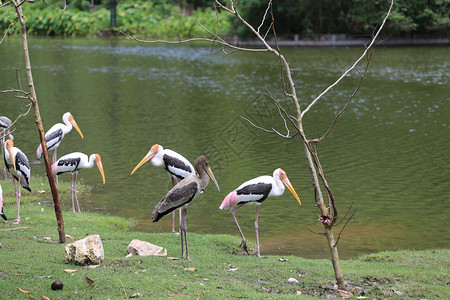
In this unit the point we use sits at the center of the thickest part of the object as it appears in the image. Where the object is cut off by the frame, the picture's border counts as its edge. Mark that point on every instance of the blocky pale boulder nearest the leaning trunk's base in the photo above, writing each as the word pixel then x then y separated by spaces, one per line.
pixel 87 251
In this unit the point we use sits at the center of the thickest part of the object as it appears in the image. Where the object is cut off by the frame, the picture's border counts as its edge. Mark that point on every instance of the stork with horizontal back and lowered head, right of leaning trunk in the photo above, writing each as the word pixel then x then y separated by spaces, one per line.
pixel 72 163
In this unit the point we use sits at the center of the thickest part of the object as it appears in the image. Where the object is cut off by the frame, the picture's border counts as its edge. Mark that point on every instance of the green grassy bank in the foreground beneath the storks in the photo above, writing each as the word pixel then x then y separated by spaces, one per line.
pixel 32 258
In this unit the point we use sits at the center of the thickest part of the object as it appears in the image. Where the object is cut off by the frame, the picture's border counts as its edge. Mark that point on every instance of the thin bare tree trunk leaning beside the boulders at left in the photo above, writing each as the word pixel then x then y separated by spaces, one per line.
pixel 37 115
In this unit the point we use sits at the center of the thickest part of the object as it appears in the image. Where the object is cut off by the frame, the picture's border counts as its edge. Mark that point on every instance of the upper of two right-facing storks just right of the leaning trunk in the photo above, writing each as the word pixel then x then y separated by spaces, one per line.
pixel 54 136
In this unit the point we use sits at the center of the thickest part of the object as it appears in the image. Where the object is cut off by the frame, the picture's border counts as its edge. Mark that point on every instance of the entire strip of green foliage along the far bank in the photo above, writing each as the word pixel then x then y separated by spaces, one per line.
pixel 166 18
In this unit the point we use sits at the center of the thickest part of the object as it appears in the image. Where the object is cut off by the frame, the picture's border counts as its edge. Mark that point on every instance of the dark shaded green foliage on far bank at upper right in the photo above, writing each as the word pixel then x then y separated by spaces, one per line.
pixel 353 16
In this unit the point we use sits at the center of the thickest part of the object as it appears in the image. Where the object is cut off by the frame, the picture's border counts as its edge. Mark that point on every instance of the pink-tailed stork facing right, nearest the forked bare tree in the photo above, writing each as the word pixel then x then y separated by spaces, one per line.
pixel 255 191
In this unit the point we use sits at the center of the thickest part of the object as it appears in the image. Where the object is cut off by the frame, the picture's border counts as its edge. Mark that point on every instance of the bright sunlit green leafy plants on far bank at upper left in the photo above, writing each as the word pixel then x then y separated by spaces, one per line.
pixel 139 17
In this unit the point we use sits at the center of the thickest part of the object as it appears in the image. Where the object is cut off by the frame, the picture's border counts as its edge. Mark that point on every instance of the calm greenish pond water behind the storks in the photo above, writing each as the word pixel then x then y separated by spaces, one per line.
pixel 388 153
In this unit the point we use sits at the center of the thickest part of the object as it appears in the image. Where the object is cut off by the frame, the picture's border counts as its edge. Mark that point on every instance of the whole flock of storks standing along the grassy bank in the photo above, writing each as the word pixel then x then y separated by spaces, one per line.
pixel 188 181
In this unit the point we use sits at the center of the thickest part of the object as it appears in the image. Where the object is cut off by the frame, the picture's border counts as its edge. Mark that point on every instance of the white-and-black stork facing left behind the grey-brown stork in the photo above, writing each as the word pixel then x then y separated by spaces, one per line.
pixel 176 164
